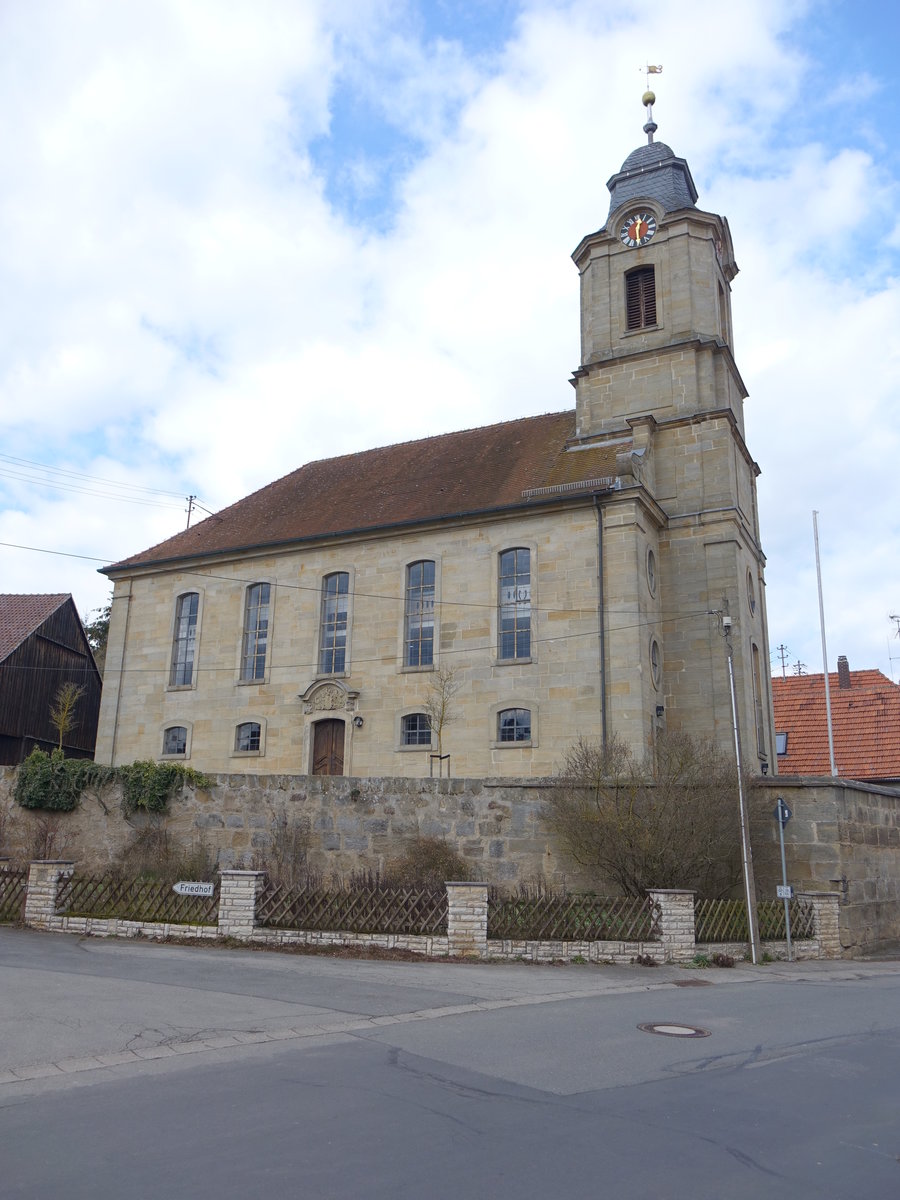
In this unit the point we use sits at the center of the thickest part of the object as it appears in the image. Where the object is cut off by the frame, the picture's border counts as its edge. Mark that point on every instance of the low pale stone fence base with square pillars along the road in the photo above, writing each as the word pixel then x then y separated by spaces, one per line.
pixel 467 926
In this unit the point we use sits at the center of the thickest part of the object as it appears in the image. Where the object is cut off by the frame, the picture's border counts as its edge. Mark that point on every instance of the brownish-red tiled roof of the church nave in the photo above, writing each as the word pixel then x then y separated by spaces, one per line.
pixel 454 475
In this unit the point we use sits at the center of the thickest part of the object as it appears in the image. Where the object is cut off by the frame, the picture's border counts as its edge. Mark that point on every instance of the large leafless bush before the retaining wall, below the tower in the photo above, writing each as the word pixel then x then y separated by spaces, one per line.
pixel 668 823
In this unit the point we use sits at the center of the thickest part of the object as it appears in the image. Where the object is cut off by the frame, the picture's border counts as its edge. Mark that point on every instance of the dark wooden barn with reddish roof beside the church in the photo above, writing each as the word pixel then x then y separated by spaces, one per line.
pixel 43 646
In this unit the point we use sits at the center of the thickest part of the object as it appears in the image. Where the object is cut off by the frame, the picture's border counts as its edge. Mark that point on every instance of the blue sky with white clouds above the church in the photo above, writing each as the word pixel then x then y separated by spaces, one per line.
pixel 237 238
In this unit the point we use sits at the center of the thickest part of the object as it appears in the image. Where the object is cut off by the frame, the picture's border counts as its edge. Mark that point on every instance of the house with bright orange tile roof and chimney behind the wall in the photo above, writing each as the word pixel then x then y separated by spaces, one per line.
pixel 866 724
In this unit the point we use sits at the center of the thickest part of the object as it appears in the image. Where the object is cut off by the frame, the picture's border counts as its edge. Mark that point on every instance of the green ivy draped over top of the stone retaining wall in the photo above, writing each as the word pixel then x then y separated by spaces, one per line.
pixel 56 783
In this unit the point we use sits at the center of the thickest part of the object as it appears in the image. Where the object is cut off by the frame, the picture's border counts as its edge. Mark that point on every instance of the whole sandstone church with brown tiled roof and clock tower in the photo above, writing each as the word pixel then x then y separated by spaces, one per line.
pixel 568 568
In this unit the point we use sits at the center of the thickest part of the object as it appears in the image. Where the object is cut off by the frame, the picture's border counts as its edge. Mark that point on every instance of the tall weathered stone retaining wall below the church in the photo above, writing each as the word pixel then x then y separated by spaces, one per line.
pixel 843 837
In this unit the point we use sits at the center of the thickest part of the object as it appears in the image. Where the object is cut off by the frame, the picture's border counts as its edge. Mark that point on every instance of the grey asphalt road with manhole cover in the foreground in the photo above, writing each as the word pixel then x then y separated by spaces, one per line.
pixel 141 1071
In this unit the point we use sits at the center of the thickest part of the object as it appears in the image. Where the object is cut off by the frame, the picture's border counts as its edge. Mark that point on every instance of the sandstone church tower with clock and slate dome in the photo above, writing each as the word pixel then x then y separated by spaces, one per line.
pixel 682 561
